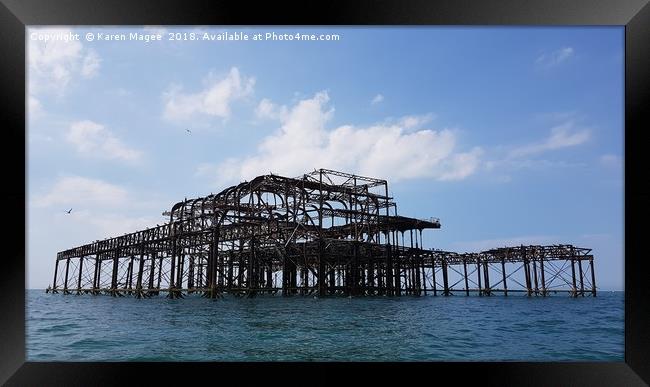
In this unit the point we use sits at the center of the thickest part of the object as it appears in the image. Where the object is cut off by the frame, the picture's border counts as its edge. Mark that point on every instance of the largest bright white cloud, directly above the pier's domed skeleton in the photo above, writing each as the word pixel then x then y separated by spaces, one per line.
pixel 303 143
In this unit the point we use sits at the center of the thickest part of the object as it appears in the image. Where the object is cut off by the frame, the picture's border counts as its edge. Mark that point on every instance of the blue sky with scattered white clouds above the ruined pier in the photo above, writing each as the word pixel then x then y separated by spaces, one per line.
pixel 508 135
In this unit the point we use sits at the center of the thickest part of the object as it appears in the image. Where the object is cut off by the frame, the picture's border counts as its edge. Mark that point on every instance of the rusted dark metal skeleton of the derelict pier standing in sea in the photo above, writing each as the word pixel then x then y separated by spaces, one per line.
pixel 324 233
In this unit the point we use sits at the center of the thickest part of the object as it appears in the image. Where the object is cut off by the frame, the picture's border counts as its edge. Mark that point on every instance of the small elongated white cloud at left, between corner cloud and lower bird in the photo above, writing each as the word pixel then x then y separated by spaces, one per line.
pixel 90 138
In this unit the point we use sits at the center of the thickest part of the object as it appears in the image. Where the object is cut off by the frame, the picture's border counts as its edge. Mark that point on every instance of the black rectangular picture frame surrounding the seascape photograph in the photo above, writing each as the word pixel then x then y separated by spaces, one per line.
pixel 15 15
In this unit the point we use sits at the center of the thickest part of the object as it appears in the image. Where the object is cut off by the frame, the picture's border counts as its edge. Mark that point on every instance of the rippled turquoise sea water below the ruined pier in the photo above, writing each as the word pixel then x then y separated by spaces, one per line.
pixel 275 328
